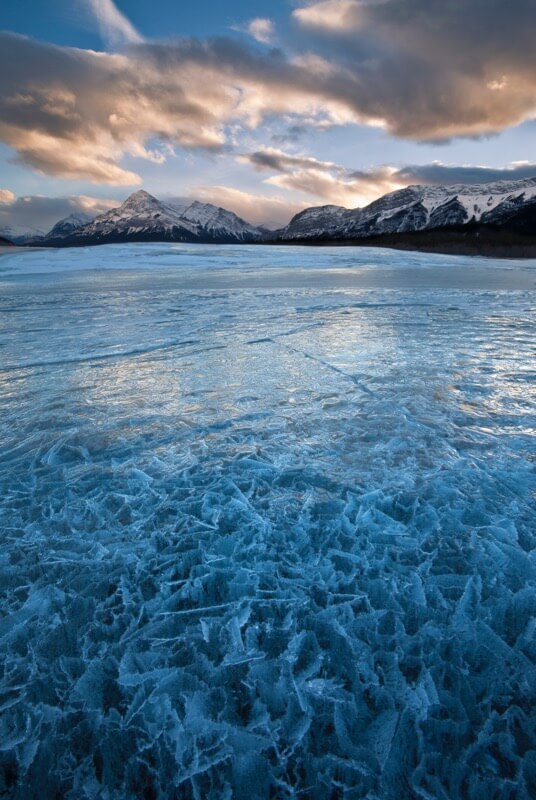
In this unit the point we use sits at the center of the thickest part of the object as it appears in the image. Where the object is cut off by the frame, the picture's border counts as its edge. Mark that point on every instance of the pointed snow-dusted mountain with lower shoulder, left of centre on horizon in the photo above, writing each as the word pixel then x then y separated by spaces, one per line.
pixel 143 218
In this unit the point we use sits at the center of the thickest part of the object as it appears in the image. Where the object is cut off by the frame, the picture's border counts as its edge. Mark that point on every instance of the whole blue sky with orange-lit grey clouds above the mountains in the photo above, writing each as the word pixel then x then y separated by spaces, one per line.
pixel 263 106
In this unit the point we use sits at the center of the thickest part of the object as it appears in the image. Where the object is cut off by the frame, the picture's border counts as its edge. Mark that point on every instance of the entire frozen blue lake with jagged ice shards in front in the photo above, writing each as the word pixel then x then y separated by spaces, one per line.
pixel 268 522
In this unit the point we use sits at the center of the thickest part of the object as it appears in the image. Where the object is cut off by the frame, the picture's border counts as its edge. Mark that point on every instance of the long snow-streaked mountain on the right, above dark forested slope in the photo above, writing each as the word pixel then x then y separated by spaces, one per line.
pixel 415 208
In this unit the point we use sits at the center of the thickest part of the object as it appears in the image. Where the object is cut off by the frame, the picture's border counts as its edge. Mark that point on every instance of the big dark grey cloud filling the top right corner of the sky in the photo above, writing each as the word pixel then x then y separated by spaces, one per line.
pixel 430 69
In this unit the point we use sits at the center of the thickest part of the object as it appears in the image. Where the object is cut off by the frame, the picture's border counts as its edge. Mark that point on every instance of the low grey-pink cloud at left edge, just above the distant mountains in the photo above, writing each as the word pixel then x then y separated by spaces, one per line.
pixel 34 214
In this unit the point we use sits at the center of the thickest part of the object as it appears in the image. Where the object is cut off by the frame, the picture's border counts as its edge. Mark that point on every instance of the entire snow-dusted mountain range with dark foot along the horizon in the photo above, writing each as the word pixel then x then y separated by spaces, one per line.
pixel 484 218
